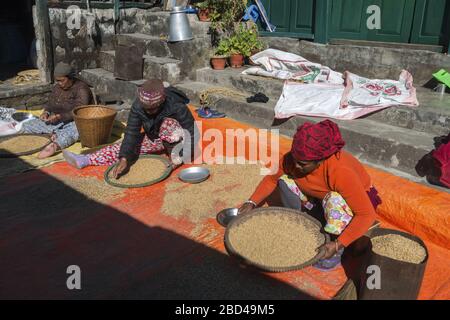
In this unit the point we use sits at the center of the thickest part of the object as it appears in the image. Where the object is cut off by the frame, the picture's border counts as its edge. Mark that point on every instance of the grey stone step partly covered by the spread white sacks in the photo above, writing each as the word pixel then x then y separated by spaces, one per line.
pixel 433 115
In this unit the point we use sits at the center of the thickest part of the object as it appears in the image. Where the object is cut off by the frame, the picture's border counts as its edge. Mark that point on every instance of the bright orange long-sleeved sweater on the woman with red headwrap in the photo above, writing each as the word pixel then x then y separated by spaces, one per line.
pixel 341 173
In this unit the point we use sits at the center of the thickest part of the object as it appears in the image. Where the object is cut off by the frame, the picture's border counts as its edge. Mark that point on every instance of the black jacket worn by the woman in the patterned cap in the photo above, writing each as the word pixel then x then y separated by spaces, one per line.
pixel 174 107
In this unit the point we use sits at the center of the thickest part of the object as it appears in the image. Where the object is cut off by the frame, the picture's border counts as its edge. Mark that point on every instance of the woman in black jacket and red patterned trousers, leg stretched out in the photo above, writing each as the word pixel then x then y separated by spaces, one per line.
pixel 159 121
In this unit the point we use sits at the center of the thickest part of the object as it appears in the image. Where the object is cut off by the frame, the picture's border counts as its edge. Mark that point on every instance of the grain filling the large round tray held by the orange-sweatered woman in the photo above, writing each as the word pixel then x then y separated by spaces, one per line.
pixel 276 240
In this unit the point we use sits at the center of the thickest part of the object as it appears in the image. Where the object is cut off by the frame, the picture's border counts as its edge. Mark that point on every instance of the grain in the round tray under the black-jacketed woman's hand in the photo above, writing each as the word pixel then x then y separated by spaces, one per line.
pixel 143 171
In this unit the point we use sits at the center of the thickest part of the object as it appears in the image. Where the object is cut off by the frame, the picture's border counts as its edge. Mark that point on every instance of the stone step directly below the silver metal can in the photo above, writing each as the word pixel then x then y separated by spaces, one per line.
pixel 193 54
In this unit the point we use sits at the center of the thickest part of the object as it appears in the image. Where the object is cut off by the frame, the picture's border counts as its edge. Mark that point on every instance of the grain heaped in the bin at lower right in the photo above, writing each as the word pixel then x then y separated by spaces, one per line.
pixel 399 248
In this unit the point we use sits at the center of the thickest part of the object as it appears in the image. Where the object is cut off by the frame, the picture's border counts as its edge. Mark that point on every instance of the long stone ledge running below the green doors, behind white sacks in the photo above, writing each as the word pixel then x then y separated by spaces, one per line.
pixel 370 62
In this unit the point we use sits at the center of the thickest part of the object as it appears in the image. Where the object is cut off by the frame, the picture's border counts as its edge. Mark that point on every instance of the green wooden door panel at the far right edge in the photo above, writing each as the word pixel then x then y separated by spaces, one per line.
pixel 431 22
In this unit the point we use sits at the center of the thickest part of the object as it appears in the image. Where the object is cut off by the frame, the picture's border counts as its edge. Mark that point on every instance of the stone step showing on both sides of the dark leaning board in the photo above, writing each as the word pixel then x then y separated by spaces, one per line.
pixel 166 69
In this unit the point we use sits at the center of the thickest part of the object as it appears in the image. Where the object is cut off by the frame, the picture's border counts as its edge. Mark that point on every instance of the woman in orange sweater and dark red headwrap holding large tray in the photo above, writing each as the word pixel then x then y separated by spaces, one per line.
pixel 317 168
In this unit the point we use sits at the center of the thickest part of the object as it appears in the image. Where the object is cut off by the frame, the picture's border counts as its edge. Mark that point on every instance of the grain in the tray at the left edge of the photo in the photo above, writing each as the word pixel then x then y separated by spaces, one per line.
pixel 22 143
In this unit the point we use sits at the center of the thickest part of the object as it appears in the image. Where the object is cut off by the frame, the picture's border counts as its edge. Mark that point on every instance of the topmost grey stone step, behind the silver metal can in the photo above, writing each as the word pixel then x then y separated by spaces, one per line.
pixel 157 24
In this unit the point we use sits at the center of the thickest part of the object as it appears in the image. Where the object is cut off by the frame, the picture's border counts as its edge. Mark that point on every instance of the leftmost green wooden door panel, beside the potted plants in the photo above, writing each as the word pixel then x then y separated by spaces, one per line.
pixel 293 18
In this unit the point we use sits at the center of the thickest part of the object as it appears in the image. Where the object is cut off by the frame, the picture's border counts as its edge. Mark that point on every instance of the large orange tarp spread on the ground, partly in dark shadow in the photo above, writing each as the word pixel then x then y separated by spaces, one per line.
pixel 129 249
